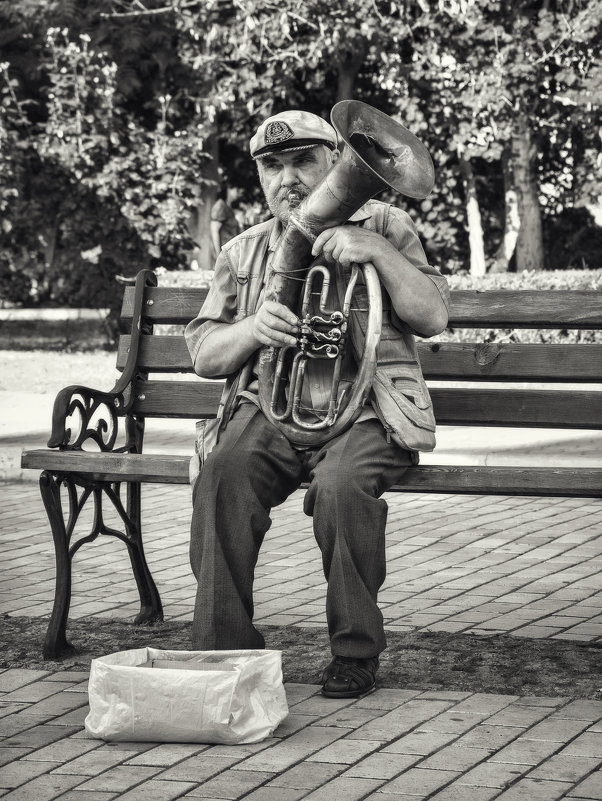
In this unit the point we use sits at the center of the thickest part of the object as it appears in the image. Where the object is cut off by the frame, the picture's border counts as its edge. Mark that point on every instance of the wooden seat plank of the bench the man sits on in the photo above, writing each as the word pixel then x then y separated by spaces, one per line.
pixel 173 469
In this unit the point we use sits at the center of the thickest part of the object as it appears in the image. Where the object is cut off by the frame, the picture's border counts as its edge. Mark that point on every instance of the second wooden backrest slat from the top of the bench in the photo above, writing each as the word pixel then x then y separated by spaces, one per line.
pixel 440 360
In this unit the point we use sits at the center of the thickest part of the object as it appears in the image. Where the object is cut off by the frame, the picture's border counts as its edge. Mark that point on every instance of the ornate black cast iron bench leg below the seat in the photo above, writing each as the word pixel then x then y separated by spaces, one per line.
pixel 151 611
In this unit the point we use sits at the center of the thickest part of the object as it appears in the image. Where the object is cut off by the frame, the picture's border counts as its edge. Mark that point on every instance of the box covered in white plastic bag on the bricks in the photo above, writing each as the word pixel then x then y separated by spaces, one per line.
pixel 238 697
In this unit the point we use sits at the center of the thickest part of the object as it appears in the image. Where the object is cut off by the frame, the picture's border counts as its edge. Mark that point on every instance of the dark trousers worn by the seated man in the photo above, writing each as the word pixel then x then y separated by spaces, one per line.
pixel 254 468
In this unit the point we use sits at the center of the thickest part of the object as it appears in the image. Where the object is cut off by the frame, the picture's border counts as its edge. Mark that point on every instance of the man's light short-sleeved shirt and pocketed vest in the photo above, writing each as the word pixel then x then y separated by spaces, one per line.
pixel 399 397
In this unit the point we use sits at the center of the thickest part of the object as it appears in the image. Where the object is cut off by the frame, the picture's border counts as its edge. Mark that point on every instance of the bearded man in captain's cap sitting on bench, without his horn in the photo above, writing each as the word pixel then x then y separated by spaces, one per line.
pixel 253 467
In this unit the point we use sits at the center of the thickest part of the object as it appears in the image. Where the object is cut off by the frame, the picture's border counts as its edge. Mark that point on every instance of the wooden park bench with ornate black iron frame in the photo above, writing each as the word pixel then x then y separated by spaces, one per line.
pixel 96 447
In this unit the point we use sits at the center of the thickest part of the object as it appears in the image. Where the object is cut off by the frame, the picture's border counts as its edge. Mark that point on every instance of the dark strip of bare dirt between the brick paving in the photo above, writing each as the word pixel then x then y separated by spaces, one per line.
pixel 426 661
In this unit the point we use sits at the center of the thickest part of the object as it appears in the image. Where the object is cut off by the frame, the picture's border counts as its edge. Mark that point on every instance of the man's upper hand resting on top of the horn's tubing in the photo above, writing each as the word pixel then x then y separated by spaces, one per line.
pixel 347 245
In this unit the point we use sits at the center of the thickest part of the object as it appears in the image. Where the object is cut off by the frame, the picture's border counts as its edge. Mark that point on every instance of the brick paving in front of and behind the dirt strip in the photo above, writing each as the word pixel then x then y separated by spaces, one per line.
pixel 525 566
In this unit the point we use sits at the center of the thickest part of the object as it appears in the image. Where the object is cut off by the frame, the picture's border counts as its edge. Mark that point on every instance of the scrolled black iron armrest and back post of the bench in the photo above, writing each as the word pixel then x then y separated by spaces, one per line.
pixel 82 414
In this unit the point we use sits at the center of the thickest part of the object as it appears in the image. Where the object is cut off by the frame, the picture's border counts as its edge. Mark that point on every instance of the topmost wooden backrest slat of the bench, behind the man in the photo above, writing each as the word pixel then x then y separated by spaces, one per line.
pixel 469 308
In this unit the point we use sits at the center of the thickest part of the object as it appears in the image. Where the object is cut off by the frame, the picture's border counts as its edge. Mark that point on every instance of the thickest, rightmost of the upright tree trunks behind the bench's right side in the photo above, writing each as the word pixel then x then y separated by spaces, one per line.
pixel 529 245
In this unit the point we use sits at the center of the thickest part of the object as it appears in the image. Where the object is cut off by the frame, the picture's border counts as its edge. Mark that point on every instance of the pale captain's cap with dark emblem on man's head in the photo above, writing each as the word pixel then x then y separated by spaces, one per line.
pixel 291 130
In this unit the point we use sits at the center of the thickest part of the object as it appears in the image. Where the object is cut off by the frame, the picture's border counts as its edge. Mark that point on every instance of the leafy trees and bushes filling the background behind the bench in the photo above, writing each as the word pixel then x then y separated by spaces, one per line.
pixel 119 120
